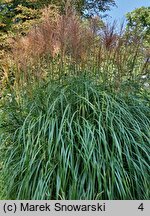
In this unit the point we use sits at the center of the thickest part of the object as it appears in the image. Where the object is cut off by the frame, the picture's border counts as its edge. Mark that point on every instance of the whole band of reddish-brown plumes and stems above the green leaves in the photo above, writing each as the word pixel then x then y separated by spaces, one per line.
pixel 66 45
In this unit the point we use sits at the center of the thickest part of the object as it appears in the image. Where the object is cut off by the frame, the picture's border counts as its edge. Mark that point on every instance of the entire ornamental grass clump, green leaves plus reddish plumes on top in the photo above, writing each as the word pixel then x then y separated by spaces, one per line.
pixel 75 112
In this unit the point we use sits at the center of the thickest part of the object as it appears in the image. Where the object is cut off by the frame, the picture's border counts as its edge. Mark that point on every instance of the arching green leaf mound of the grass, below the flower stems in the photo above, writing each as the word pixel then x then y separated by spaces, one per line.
pixel 76 141
